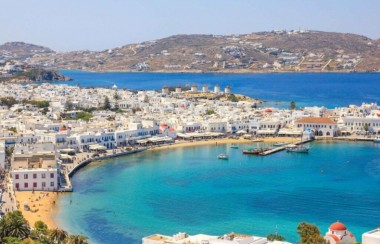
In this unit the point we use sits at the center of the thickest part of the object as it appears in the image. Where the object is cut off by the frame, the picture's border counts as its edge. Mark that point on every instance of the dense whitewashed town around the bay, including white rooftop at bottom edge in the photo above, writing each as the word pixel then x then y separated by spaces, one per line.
pixel 49 131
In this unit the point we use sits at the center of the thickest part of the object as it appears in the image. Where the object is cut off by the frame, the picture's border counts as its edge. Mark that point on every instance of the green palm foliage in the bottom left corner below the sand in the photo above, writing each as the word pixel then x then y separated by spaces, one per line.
pixel 14 229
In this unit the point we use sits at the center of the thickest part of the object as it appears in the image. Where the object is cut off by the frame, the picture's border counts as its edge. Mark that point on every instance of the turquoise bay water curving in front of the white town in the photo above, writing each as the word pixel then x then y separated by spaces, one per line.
pixel 190 190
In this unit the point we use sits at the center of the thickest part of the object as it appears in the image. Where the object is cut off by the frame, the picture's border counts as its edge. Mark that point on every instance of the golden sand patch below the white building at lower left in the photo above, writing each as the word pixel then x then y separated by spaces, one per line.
pixel 42 206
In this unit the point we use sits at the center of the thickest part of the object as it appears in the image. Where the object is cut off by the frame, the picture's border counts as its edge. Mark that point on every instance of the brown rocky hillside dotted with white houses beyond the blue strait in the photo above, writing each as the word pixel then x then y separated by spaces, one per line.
pixel 276 51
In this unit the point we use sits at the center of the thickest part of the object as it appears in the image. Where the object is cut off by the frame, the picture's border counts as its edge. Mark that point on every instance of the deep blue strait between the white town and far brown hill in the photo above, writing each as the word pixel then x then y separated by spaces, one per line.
pixel 306 89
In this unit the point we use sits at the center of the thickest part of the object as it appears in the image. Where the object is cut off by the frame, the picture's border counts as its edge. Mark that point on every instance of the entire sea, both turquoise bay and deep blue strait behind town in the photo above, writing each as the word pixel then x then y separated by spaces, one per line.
pixel 189 190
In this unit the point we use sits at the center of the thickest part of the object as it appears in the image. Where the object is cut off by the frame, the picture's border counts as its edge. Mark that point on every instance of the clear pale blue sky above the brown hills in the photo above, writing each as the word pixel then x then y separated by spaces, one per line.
pixel 100 24
